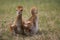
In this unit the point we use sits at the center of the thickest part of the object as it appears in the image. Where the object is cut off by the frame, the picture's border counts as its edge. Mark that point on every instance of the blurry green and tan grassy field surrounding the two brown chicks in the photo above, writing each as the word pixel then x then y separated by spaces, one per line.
pixel 49 18
